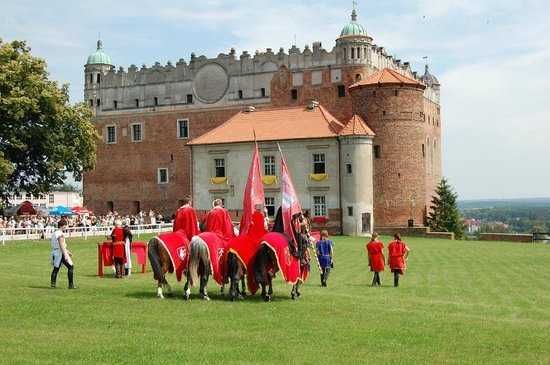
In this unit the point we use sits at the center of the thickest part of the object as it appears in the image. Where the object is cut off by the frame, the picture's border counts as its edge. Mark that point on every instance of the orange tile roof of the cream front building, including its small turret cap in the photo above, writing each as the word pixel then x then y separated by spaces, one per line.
pixel 277 124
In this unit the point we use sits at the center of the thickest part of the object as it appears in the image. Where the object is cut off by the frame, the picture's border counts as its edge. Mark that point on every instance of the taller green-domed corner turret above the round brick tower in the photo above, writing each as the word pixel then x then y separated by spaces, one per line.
pixel 353 44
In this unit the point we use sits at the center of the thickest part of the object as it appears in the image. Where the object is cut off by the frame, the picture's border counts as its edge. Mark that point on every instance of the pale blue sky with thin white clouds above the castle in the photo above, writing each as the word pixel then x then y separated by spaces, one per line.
pixel 490 57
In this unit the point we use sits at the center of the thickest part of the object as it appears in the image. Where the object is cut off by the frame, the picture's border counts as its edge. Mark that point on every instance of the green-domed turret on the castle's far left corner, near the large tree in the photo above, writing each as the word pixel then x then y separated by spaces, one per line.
pixel 97 66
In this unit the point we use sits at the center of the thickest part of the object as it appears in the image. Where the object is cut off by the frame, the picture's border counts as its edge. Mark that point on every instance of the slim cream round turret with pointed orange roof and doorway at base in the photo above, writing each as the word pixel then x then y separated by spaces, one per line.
pixel 356 178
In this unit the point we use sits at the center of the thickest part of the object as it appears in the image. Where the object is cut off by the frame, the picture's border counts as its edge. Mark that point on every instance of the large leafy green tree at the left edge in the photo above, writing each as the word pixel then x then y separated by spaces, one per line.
pixel 42 136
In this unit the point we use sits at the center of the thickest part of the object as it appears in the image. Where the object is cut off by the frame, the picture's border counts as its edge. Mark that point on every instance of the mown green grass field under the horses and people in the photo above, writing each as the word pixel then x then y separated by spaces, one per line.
pixel 460 302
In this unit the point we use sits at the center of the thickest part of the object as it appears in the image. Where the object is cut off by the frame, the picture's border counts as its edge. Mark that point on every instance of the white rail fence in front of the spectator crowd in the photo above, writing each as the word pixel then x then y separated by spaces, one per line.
pixel 19 234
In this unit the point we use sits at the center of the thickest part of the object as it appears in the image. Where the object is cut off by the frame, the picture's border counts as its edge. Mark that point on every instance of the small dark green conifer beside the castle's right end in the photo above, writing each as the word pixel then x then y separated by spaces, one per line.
pixel 444 215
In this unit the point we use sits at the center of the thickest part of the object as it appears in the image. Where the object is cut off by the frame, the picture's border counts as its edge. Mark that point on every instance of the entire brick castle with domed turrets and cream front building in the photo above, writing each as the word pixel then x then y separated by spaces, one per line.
pixel 373 151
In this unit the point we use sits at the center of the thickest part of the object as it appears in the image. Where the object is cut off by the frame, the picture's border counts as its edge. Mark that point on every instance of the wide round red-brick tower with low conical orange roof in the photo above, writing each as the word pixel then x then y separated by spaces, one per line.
pixel 393 106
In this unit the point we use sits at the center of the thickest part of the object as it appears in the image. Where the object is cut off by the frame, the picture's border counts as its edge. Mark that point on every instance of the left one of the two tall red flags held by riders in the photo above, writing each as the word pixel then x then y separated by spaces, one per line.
pixel 253 192
